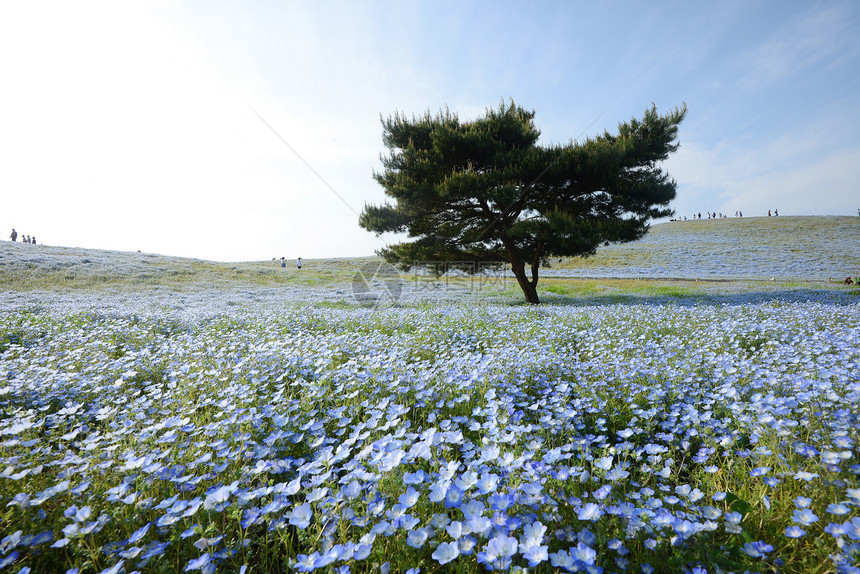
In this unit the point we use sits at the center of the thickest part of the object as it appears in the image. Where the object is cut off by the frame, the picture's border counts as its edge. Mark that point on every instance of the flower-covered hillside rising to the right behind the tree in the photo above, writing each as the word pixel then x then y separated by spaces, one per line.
pixel 795 248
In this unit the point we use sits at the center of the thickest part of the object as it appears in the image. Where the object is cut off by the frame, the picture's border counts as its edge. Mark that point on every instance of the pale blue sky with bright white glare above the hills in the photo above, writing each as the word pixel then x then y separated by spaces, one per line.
pixel 151 125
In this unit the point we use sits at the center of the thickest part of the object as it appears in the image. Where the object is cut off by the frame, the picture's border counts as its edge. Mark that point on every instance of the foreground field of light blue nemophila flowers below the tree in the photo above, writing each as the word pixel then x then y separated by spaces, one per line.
pixel 686 435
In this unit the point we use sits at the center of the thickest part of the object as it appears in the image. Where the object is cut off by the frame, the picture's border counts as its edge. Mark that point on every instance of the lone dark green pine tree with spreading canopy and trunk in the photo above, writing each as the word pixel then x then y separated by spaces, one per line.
pixel 484 190
